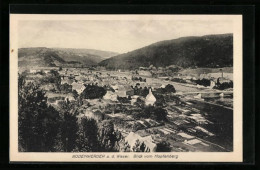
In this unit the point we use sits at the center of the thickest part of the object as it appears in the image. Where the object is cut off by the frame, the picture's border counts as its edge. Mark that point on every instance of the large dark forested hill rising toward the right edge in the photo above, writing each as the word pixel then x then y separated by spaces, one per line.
pixel 203 51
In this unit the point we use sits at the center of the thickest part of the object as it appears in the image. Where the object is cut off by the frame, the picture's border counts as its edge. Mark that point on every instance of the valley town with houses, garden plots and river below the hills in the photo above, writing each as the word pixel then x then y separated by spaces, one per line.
pixel 152 109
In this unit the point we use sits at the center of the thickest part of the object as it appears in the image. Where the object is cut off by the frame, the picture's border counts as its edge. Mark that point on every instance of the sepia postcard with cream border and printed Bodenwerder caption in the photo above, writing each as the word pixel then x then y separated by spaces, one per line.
pixel 126 87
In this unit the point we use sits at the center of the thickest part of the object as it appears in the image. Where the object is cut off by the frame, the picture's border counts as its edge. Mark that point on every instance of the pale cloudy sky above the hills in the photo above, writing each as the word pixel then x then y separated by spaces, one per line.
pixel 112 35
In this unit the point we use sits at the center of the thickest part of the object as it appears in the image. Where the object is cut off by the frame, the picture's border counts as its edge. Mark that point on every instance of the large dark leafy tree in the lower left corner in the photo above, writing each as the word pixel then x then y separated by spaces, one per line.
pixel 38 123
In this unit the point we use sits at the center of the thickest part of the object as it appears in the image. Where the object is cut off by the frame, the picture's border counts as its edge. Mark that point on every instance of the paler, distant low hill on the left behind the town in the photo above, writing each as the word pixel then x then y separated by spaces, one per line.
pixel 41 56
